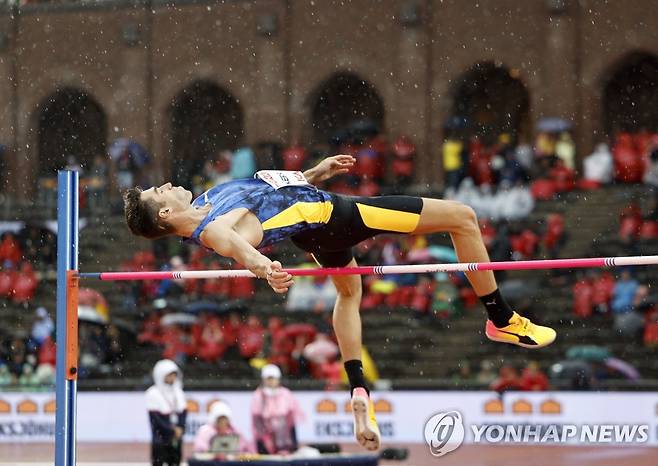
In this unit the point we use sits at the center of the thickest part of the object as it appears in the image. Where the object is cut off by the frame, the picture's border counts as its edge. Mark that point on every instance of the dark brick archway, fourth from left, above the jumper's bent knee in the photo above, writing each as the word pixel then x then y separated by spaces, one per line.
pixel 492 99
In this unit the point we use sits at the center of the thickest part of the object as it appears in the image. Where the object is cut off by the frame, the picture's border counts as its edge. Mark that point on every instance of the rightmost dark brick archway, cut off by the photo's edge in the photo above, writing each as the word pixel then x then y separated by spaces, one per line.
pixel 630 94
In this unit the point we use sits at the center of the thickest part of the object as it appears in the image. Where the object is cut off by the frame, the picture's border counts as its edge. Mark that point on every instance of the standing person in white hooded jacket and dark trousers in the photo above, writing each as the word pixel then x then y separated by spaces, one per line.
pixel 167 409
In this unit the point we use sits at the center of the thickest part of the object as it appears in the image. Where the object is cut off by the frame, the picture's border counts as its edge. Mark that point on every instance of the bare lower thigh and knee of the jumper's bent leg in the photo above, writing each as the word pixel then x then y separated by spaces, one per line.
pixel 441 215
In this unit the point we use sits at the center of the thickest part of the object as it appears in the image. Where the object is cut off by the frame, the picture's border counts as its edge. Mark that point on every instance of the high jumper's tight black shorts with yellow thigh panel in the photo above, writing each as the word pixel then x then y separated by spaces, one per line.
pixel 355 219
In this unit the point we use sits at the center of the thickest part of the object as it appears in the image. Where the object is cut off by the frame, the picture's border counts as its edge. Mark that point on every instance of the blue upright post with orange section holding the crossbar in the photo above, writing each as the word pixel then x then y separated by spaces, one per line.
pixel 67 317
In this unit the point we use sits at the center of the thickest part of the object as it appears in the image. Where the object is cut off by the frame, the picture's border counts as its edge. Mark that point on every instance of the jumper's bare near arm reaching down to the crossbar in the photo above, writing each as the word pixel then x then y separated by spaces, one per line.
pixel 226 242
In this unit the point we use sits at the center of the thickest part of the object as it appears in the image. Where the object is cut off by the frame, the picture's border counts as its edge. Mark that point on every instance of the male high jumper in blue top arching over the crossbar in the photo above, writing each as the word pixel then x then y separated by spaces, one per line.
pixel 236 218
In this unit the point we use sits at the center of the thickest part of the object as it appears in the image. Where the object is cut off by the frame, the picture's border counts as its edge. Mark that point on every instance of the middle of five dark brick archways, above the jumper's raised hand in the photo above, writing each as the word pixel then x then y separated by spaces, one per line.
pixel 342 103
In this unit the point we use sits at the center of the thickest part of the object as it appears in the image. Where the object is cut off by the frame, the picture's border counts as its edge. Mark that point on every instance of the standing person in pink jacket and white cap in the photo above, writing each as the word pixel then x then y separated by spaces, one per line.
pixel 275 412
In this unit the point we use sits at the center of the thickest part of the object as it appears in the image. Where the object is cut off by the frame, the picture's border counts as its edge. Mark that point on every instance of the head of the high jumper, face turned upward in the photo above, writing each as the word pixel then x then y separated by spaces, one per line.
pixel 155 212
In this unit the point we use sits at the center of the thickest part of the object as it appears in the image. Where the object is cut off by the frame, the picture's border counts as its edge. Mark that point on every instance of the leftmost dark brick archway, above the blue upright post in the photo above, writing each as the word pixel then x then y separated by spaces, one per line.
pixel 71 124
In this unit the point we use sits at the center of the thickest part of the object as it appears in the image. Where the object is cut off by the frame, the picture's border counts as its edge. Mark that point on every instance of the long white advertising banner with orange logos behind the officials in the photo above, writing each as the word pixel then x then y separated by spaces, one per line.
pixel 409 417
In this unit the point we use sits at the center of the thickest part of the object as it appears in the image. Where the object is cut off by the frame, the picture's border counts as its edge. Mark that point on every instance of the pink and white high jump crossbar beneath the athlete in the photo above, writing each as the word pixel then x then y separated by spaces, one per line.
pixel 547 264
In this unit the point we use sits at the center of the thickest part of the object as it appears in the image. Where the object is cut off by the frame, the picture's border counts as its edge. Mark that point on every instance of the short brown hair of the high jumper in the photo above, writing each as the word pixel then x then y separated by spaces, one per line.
pixel 142 216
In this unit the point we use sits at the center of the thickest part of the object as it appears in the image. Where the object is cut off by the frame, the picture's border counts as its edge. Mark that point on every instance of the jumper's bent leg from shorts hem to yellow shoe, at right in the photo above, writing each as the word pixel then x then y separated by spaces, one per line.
pixel 461 223
